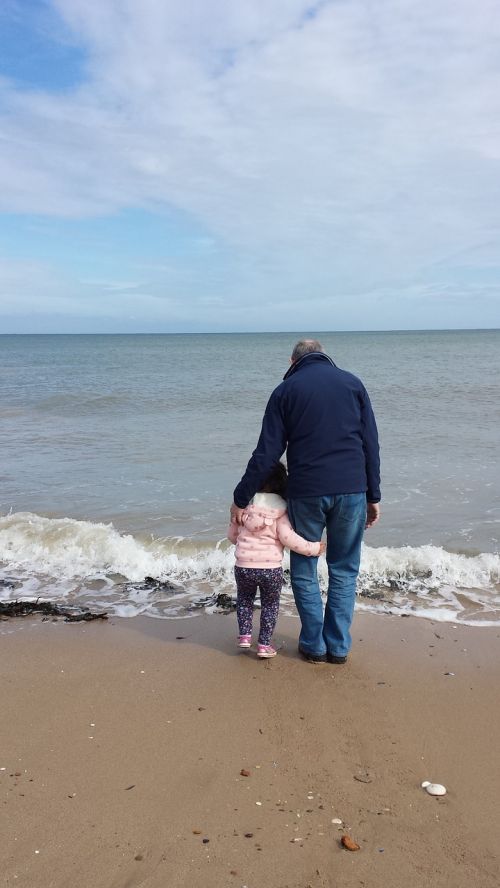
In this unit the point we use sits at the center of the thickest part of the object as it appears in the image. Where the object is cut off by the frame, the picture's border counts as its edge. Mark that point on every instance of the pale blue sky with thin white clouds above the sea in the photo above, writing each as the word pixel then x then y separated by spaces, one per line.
pixel 214 165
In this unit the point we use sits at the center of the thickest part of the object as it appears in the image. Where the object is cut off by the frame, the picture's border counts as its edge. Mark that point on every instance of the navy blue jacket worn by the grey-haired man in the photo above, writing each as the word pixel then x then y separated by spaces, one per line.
pixel 323 417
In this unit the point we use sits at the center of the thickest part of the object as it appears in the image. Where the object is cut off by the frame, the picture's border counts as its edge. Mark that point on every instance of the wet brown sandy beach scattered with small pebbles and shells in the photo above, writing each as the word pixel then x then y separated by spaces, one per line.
pixel 122 747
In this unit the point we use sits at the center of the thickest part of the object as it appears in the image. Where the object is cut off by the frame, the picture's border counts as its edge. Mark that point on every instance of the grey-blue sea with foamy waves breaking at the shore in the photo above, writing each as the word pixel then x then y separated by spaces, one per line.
pixel 120 455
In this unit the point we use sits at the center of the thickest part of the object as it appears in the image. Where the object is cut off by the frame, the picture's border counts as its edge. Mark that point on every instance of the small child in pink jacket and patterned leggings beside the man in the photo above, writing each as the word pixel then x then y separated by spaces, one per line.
pixel 260 540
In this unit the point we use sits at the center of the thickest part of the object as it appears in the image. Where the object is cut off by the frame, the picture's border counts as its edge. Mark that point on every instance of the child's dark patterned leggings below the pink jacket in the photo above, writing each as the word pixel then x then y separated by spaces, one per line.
pixel 269 581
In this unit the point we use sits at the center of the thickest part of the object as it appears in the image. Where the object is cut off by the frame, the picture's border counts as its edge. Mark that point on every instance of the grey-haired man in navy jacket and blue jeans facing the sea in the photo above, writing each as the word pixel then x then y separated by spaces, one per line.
pixel 323 417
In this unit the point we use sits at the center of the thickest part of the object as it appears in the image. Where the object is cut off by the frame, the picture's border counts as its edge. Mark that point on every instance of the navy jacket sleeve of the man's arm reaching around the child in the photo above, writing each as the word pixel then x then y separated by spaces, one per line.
pixel 270 446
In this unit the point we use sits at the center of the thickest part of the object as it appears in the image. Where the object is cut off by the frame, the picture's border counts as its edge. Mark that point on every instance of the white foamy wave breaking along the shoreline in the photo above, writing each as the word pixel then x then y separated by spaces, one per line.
pixel 93 564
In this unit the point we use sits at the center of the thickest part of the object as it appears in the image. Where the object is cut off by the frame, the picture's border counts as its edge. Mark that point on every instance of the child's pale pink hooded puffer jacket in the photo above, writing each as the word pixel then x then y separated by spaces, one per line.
pixel 265 531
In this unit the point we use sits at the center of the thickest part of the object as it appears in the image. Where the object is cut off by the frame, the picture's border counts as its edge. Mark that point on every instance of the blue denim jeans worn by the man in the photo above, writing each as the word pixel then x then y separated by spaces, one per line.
pixel 343 516
